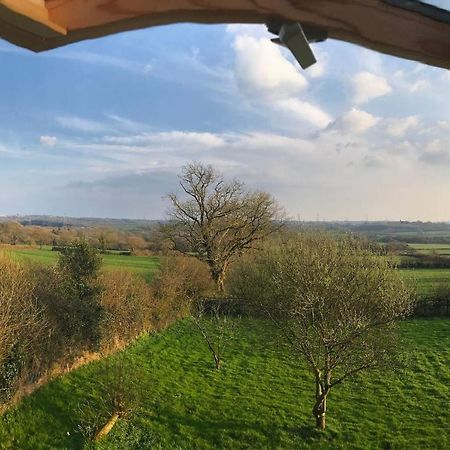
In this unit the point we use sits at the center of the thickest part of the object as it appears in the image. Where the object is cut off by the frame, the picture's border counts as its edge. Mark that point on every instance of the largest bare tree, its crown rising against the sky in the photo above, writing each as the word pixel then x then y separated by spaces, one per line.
pixel 219 220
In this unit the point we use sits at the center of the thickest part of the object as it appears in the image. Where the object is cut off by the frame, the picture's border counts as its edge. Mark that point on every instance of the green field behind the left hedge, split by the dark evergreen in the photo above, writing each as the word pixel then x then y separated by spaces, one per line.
pixel 142 265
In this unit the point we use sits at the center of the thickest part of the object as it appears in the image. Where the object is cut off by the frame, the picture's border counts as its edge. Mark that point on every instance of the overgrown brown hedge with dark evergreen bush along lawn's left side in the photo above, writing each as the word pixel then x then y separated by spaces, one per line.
pixel 50 316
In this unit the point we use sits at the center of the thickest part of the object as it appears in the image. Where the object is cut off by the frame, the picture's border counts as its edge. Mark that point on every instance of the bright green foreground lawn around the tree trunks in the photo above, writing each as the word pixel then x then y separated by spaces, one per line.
pixel 261 399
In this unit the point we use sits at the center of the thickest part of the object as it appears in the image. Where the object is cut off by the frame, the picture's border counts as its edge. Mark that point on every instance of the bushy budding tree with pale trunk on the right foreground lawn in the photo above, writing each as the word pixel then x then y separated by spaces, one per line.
pixel 335 302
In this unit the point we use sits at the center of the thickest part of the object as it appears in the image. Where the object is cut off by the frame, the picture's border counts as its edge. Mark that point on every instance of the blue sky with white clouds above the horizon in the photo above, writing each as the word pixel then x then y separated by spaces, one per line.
pixel 102 128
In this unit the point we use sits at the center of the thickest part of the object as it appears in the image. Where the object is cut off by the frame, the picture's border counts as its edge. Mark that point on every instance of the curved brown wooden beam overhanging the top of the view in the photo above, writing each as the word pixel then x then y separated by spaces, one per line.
pixel 404 28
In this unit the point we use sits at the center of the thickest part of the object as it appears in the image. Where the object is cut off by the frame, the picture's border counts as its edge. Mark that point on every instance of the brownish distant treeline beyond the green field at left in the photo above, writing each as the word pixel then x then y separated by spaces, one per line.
pixel 102 238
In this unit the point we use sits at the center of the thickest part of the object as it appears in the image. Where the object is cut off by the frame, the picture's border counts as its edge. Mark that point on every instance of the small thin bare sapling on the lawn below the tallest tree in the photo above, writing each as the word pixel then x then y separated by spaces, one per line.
pixel 216 326
